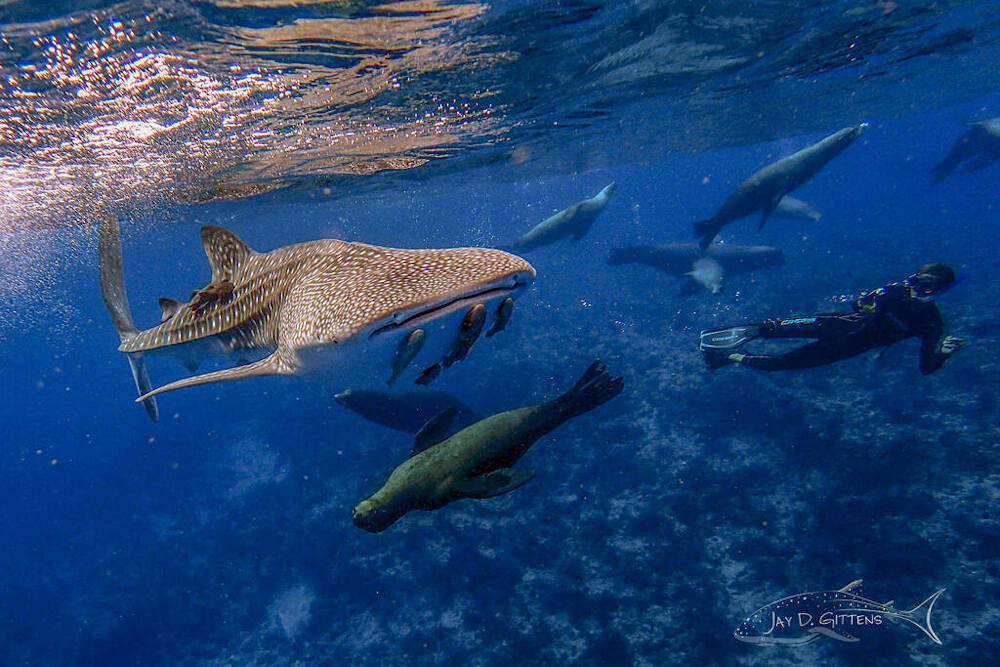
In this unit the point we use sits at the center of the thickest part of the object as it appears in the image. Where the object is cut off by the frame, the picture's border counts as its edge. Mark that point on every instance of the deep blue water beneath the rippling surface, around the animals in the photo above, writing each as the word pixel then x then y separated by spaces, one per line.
pixel 222 535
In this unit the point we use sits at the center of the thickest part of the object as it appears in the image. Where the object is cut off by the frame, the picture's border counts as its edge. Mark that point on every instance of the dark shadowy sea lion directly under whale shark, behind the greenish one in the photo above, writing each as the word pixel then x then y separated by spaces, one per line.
pixel 405 411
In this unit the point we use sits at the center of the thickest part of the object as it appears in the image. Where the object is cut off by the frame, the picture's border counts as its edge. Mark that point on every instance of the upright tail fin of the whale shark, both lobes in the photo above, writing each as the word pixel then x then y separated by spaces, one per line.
pixel 115 298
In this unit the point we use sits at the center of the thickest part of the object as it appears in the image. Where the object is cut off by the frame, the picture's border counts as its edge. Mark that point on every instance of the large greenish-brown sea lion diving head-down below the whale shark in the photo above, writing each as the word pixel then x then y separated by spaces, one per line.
pixel 476 462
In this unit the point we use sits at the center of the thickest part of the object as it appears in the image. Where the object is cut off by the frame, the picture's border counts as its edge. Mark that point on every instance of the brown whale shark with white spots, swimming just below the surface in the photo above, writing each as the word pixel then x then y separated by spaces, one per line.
pixel 322 309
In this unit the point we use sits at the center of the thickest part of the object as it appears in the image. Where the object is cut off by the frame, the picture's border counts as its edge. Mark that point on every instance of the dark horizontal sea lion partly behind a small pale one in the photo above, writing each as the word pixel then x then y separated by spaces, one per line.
pixel 677 259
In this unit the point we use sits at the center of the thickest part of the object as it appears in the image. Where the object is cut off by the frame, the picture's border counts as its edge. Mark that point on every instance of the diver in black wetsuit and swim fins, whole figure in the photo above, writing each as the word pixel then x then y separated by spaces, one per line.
pixel 880 318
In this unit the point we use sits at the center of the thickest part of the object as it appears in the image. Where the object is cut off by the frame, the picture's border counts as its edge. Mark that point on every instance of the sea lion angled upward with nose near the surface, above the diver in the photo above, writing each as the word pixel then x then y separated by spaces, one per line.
pixel 765 188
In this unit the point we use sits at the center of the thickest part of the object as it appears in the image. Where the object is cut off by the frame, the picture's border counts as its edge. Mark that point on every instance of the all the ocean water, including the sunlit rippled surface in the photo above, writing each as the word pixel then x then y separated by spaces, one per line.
pixel 655 524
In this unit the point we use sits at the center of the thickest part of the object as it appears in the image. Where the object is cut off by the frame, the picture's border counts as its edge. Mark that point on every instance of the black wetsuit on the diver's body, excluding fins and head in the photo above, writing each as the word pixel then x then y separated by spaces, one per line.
pixel 881 317
